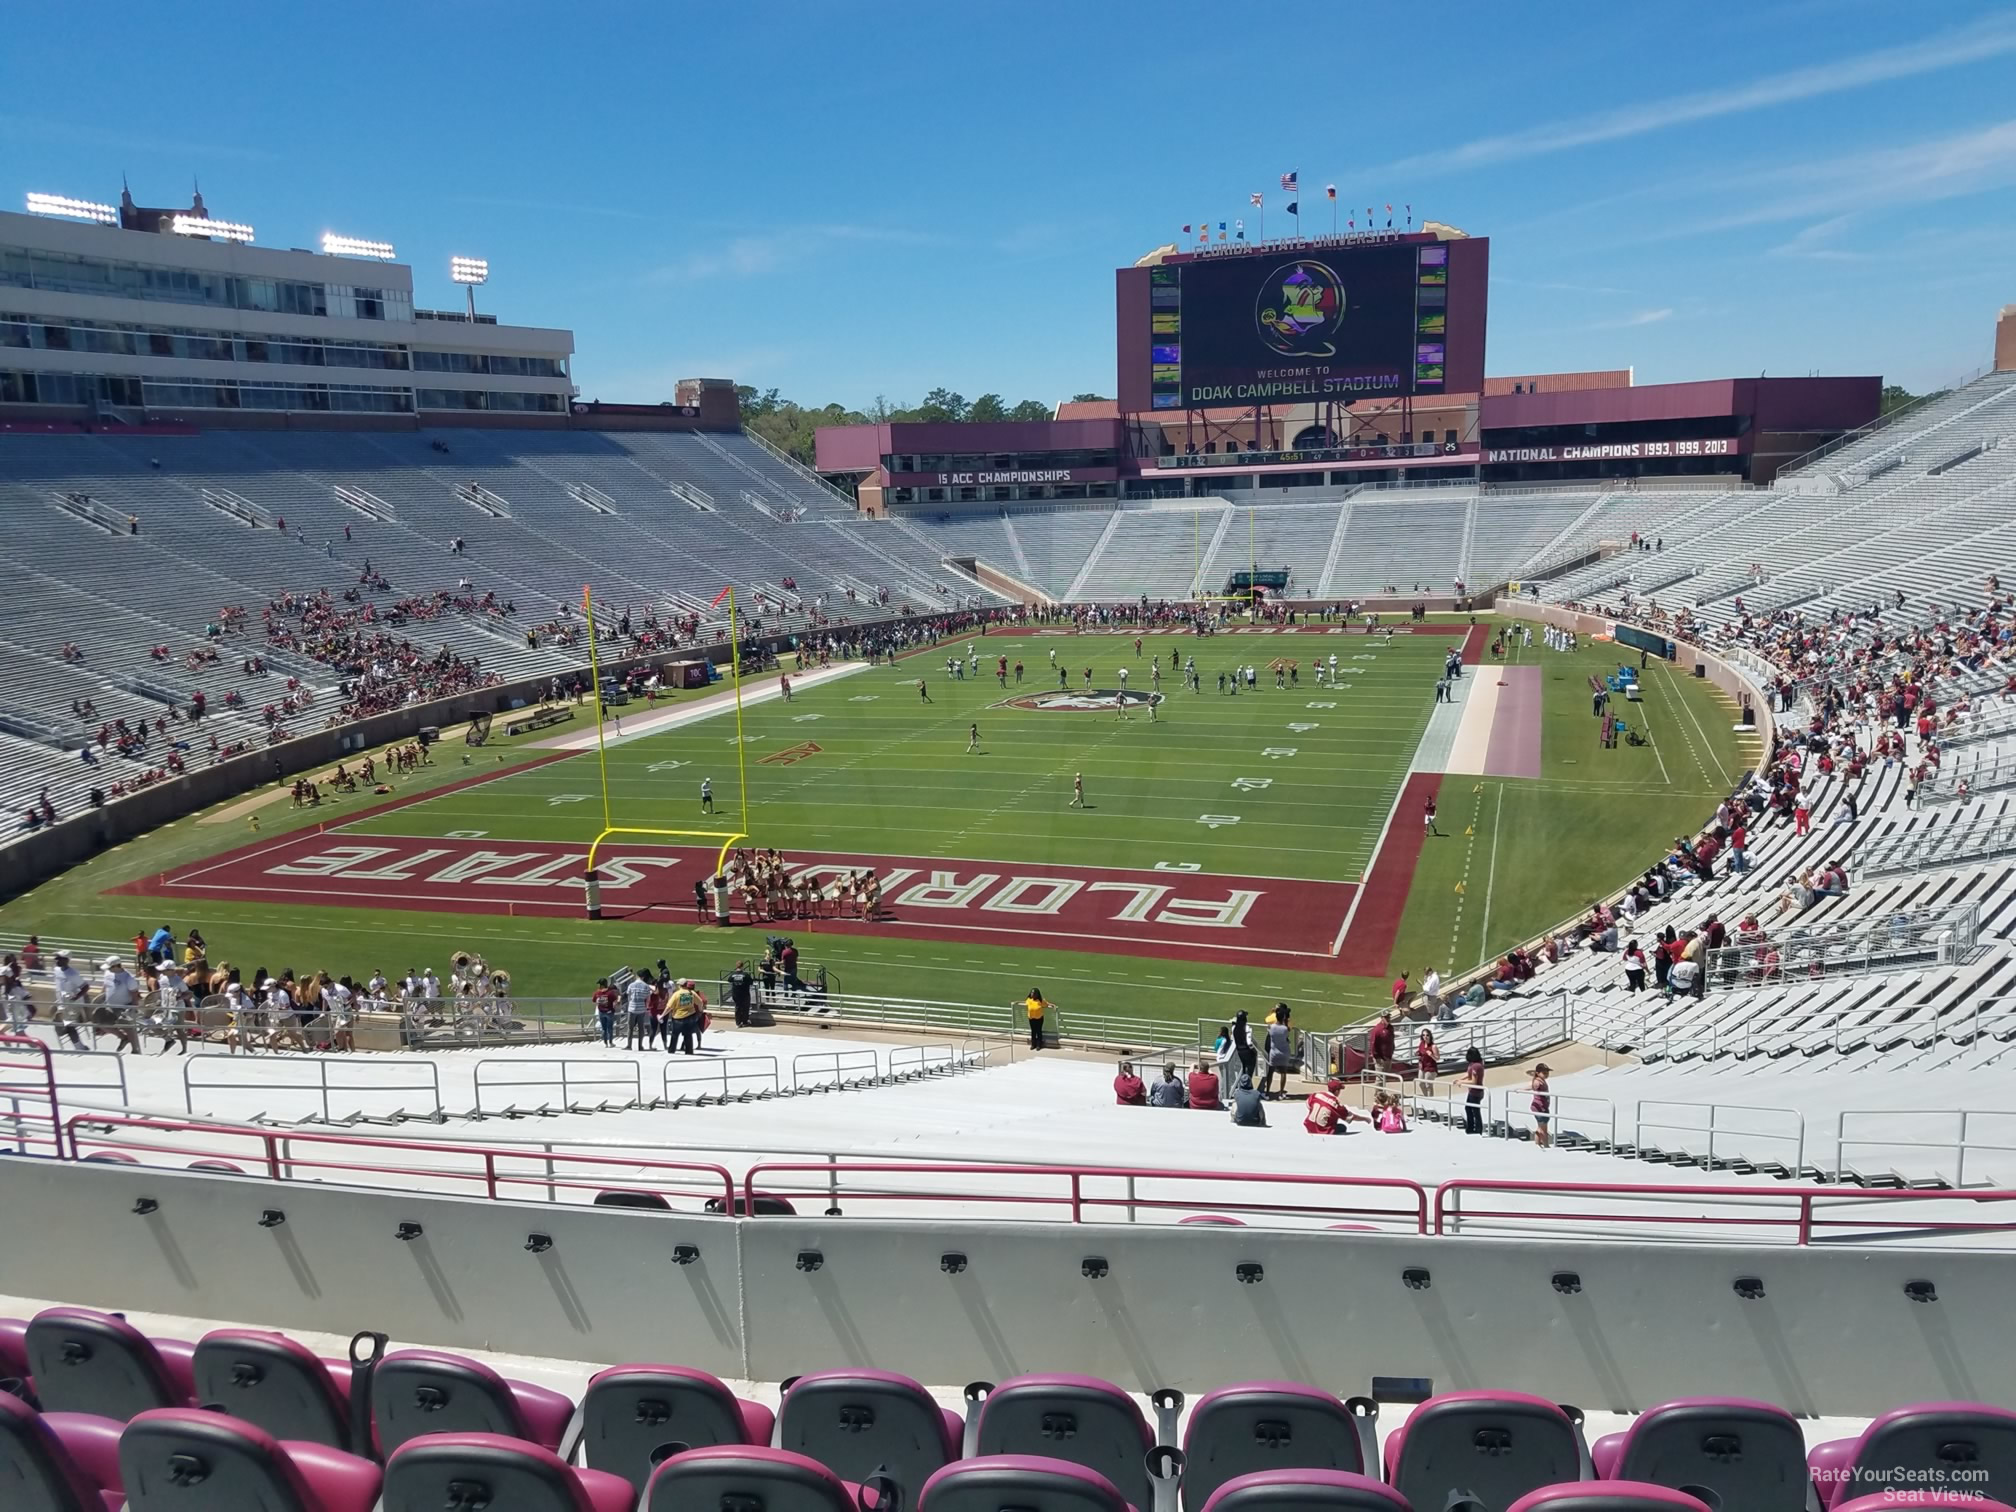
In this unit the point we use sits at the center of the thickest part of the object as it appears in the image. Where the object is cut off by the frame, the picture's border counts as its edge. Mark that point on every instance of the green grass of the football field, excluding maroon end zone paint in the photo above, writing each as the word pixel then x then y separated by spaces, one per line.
pixel 1309 775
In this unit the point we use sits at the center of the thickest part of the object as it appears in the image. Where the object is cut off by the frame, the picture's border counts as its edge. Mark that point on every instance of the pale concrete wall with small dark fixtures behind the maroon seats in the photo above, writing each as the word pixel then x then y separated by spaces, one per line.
pixel 1834 1334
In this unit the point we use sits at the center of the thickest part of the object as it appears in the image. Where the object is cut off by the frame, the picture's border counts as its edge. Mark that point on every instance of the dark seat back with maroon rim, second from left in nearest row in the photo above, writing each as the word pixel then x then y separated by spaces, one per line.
pixel 188 1461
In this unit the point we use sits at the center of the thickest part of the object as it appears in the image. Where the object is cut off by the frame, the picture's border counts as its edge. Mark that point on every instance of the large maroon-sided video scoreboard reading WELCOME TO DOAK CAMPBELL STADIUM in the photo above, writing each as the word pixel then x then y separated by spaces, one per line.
pixel 1305 324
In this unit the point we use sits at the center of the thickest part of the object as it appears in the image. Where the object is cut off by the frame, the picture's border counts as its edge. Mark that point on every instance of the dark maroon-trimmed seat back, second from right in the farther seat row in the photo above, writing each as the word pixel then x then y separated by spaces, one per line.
pixel 1749 1455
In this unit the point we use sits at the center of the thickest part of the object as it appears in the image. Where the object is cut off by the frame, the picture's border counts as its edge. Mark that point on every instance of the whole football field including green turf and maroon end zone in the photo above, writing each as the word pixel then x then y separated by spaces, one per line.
pixel 1231 846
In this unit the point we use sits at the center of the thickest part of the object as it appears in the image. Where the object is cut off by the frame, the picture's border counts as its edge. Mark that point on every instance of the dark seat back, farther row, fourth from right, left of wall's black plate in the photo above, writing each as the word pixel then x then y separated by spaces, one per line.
pixel 1265 1426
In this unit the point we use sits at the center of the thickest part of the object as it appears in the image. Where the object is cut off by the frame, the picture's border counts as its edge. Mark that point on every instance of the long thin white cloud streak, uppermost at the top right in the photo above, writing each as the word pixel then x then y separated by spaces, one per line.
pixel 1989 39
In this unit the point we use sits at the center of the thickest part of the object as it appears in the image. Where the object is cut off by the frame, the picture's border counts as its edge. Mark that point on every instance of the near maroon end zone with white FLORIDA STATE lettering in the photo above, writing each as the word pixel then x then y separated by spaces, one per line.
pixel 1170 914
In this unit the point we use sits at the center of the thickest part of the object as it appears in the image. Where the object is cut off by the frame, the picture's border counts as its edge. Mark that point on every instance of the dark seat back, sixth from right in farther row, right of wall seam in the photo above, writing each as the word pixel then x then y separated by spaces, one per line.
pixel 860 1422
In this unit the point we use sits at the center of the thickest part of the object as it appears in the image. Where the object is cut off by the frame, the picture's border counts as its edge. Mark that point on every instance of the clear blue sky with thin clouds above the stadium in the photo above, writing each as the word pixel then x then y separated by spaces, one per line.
pixel 872 201
